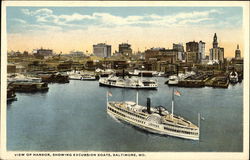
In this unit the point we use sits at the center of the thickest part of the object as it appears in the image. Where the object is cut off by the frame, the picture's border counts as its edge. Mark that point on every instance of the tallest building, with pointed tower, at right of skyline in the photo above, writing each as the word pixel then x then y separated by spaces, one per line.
pixel 216 53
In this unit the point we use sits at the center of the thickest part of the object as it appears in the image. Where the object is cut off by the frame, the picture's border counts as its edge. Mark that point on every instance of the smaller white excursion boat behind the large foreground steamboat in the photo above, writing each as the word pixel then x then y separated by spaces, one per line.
pixel 126 82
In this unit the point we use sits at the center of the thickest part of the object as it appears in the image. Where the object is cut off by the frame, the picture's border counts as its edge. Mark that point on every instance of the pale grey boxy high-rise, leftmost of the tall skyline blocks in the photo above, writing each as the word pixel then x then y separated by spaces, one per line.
pixel 102 50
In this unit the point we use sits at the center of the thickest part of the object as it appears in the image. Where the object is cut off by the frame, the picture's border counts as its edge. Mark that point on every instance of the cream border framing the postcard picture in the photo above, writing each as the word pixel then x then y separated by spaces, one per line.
pixel 149 155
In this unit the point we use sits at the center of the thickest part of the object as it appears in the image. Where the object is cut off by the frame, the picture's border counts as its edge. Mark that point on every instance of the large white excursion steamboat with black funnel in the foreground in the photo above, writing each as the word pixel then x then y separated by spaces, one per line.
pixel 153 119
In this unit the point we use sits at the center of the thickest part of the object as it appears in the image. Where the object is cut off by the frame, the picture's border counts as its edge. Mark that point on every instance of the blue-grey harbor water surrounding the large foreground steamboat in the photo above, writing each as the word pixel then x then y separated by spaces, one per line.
pixel 73 117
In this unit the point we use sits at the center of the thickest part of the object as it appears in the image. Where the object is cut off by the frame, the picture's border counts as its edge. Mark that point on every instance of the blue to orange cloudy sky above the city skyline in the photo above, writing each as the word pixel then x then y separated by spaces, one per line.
pixel 64 29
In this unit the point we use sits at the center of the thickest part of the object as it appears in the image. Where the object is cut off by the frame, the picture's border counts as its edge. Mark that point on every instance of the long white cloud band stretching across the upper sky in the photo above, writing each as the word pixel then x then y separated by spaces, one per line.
pixel 46 15
